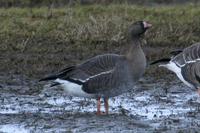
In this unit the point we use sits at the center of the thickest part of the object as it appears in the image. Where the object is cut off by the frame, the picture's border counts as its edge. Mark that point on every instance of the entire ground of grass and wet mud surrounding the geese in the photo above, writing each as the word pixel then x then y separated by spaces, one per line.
pixel 37 41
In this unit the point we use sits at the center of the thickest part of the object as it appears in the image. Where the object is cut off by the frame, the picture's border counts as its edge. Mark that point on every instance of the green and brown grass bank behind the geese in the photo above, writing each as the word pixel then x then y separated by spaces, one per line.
pixel 35 41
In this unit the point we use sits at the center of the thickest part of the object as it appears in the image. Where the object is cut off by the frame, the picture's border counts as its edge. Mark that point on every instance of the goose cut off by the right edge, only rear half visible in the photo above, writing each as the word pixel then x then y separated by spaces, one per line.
pixel 186 65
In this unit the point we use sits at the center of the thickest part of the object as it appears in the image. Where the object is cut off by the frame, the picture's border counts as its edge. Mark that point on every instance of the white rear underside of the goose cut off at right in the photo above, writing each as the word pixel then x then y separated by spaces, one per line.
pixel 177 70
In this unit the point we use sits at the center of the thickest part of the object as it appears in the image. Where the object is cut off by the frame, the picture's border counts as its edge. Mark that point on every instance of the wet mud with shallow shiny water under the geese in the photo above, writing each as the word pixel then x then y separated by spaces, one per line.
pixel 152 107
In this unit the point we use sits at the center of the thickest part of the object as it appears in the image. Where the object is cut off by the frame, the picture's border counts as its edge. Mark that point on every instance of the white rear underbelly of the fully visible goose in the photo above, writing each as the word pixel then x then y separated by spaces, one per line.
pixel 73 89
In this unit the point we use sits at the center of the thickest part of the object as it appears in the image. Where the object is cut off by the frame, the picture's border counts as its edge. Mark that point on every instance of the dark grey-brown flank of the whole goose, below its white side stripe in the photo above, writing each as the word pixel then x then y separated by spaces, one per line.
pixel 106 83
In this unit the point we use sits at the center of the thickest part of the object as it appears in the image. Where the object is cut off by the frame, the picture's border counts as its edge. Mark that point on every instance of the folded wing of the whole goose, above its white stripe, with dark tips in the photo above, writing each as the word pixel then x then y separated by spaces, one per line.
pixel 87 69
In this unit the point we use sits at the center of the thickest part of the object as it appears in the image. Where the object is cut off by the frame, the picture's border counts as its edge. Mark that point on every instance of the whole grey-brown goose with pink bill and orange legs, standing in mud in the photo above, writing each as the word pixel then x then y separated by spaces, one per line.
pixel 106 75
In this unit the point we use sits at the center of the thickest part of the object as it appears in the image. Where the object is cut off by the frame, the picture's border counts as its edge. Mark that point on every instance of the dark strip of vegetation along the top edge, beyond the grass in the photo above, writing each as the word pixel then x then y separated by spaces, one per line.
pixel 61 3
